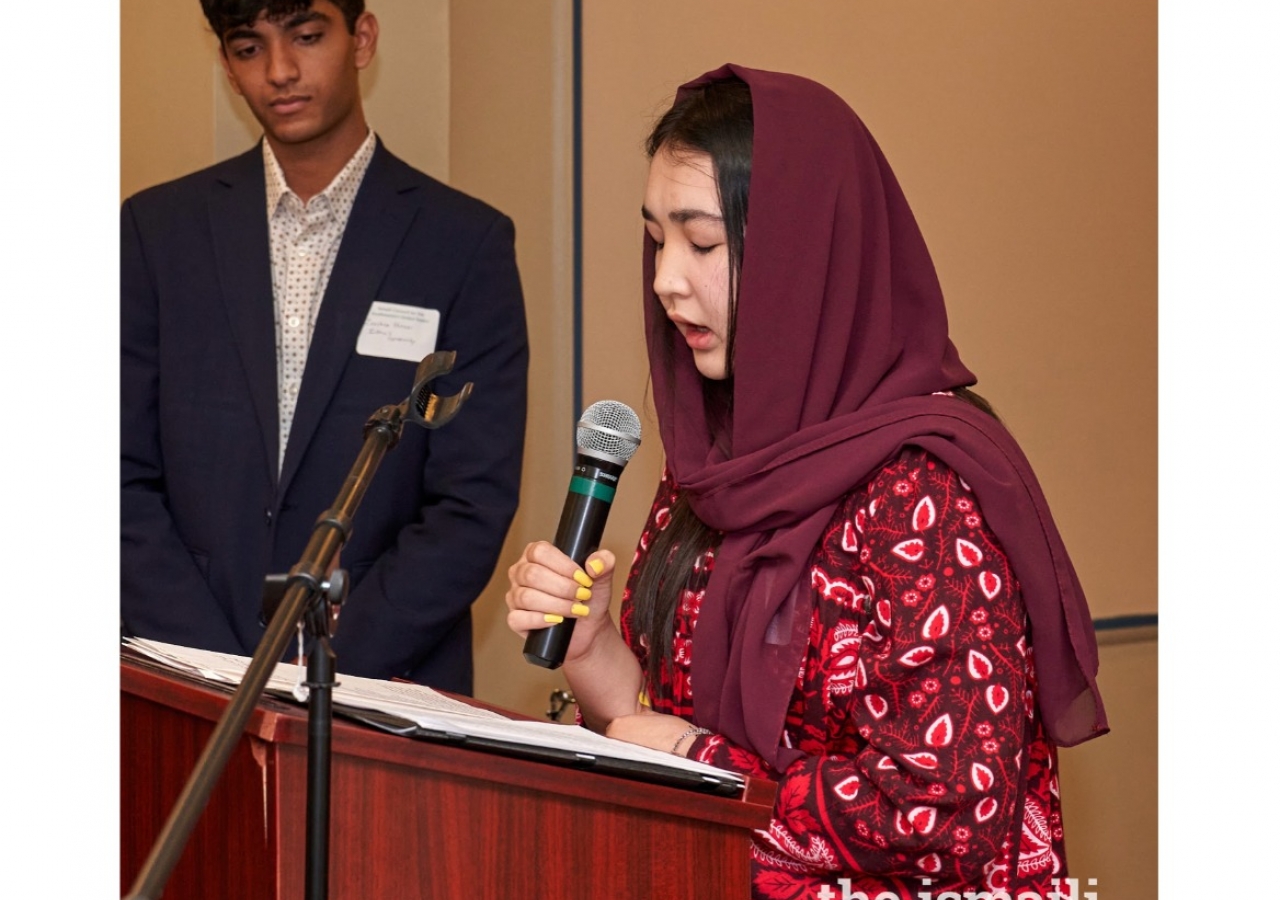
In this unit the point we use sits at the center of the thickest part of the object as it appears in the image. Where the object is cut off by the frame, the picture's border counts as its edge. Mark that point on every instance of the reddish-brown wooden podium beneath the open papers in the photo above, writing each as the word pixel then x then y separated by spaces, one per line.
pixel 410 819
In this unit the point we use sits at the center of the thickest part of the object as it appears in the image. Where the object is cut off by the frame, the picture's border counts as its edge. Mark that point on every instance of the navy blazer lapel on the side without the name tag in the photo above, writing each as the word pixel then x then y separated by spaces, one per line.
pixel 237 214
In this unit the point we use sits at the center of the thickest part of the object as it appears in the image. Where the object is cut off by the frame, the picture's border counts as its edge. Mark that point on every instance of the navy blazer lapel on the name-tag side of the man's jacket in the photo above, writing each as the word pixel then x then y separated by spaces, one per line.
pixel 380 218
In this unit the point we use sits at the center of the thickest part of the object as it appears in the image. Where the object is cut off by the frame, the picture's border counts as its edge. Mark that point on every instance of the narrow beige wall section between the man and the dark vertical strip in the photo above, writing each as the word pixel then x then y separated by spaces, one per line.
pixel 511 134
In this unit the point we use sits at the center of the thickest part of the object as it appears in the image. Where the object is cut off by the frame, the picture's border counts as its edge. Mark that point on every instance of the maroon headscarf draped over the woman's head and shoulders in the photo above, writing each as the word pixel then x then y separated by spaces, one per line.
pixel 840 344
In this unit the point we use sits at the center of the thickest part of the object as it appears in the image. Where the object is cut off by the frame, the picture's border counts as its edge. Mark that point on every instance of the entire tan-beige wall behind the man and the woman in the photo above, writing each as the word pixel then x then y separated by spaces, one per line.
pixel 1025 136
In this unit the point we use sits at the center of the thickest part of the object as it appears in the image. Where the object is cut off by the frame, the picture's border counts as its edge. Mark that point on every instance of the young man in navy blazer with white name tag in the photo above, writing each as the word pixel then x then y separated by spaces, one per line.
pixel 271 305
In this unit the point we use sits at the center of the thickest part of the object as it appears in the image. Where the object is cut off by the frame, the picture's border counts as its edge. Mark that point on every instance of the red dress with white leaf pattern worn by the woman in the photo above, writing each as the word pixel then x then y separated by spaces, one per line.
pixel 927 759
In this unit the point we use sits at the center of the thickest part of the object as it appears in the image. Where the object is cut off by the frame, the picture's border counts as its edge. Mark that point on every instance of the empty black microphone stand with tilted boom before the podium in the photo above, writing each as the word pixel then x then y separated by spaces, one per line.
pixel 314 602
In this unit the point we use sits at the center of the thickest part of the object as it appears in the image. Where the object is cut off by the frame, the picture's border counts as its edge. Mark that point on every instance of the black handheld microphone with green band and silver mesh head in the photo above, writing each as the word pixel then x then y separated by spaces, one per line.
pixel 609 435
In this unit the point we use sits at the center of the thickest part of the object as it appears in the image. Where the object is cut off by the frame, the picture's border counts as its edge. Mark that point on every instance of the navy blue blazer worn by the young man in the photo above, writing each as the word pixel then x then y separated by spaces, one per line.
pixel 204 514
